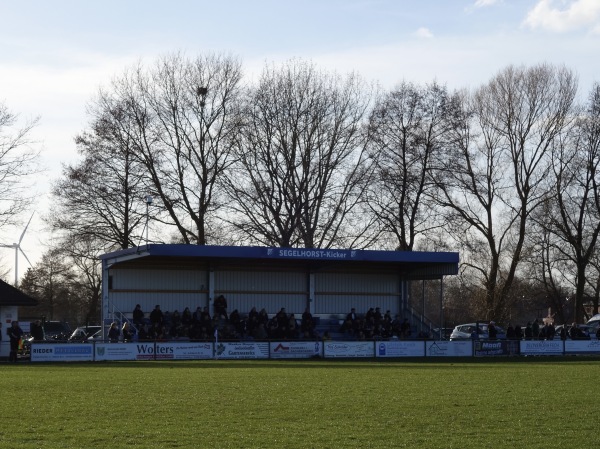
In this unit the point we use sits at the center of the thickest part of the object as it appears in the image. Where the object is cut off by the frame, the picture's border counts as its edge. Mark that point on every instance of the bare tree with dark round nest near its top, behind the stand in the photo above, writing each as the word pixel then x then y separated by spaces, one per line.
pixel 185 118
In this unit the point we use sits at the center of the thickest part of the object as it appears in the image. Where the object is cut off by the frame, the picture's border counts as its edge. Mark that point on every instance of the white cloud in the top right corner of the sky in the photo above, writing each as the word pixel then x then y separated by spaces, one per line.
pixel 577 14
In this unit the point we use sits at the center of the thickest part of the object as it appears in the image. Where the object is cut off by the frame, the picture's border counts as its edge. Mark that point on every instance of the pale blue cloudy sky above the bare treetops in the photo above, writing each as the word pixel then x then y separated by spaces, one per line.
pixel 55 54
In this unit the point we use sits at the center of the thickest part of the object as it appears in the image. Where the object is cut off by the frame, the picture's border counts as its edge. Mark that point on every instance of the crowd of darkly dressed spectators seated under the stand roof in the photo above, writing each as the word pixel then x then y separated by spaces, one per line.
pixel 257 325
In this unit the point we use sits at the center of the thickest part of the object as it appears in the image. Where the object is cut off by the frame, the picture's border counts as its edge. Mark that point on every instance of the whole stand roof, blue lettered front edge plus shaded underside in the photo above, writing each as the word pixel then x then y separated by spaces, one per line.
pixel 412 264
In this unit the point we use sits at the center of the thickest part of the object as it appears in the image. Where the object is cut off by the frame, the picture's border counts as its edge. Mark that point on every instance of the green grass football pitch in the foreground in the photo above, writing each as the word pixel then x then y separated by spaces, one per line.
pixel 477 403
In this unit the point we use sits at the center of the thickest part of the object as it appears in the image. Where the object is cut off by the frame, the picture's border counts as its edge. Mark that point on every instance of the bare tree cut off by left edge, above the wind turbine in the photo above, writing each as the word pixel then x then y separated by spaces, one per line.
pixel 17 164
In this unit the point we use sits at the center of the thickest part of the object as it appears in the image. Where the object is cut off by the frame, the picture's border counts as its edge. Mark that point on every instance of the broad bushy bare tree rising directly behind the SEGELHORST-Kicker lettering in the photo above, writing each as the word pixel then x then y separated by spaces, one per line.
pixel 301 159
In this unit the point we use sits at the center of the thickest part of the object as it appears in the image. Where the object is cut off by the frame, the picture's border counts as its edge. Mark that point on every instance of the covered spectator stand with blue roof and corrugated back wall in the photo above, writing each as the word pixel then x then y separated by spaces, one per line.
pixel 326 281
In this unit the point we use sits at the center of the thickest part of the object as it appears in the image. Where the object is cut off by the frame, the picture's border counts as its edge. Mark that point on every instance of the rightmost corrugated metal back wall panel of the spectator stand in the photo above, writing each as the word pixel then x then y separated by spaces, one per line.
pixel 337 293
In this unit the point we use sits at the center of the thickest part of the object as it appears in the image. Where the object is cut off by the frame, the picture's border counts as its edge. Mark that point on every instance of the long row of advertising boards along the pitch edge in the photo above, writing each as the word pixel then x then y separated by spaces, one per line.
pixel 187 350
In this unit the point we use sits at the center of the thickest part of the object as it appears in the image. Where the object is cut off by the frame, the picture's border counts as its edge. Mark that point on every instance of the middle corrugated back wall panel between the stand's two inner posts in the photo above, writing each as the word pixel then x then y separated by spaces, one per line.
pixel 269 290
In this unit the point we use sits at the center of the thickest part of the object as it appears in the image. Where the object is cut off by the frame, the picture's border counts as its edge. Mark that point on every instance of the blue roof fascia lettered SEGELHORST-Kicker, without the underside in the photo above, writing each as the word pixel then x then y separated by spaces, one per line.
pixel 256 252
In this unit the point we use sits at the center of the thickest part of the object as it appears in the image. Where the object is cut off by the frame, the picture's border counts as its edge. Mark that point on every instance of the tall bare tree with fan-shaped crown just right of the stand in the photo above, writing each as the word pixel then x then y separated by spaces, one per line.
pixel 492 176
